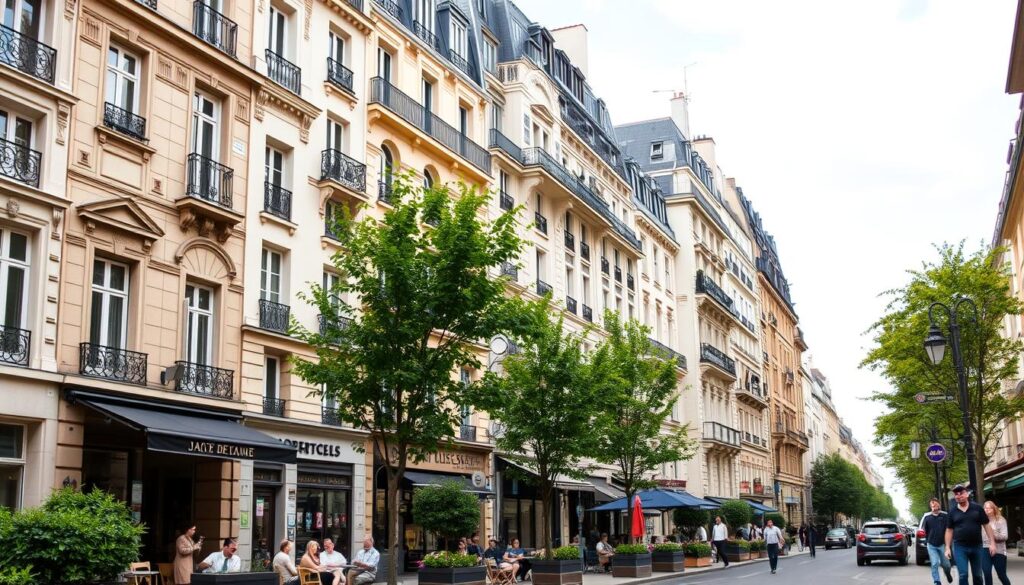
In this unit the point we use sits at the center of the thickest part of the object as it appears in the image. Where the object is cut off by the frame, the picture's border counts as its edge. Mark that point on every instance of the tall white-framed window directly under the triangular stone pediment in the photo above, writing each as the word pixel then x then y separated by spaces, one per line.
pixel 109 323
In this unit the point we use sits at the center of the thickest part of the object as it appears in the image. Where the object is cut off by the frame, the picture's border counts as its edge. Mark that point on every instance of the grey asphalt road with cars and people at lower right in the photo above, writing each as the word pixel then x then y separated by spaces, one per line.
pixel 837 567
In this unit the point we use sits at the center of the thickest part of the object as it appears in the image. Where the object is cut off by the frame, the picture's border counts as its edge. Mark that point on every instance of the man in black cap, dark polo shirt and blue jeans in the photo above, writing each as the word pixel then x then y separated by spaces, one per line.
pixel 967 521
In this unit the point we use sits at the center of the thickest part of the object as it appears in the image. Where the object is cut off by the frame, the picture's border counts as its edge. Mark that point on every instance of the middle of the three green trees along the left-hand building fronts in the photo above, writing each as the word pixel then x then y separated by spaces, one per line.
pixel 546 403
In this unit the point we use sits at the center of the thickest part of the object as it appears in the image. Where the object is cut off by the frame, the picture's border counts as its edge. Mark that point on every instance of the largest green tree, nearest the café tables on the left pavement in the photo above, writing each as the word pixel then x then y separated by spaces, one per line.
pixel 414 301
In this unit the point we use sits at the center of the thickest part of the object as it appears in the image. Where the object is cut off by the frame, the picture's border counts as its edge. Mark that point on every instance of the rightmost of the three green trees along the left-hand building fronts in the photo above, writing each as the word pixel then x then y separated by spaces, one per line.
pixel 637 392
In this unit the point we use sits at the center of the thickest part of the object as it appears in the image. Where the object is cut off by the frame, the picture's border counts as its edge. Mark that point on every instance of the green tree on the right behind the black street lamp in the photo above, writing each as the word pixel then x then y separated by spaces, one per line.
pixel 991 360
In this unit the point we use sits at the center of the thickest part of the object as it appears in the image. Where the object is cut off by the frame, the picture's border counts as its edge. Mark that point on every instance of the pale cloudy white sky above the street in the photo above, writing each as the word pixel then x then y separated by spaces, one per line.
pixel 864 133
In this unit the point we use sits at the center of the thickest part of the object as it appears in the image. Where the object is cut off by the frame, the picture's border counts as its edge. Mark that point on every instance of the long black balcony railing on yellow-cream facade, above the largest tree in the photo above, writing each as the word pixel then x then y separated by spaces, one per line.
pixel 411 111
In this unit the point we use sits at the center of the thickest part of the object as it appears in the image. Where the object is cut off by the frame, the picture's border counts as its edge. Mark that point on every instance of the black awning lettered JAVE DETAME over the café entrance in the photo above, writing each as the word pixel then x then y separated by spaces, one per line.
pixel 189 431
